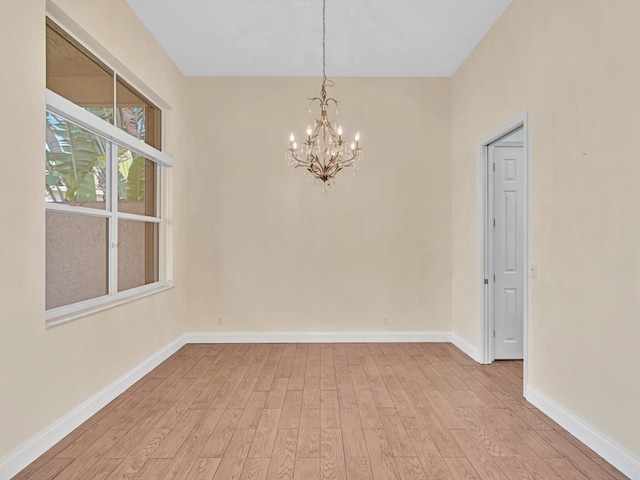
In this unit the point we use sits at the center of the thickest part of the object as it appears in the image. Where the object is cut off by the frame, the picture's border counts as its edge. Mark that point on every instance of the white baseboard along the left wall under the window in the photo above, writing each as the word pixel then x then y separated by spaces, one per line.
pixel 11 465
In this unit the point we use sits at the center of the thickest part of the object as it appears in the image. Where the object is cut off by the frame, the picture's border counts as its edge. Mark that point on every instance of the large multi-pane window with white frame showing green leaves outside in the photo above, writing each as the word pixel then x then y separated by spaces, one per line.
pixel 103 172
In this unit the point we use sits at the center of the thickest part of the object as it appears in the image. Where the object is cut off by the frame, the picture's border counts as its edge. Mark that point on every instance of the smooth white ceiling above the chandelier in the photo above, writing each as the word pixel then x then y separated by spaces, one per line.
pixel 284 37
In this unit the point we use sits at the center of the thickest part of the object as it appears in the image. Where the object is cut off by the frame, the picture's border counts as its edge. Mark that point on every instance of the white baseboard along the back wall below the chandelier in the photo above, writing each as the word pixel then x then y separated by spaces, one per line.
pixel 317 337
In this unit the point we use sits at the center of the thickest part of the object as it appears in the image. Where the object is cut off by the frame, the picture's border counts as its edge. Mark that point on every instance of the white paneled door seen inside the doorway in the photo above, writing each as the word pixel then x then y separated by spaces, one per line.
pixel 508 249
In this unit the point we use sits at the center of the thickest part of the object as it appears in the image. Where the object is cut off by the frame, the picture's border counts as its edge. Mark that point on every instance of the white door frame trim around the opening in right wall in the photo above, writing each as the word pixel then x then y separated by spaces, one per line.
pixel 486 240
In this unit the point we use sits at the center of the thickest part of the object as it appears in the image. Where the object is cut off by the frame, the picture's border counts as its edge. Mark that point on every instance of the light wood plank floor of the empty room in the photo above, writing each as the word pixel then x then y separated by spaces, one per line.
pixel 330 411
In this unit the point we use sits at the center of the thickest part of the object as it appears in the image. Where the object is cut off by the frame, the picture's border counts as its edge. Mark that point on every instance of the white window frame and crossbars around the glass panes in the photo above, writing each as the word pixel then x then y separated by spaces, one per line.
pixel 61 107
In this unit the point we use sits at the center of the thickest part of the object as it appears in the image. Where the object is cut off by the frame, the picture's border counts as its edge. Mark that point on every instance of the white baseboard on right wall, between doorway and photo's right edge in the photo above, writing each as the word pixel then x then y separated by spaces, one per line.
pixel 613 453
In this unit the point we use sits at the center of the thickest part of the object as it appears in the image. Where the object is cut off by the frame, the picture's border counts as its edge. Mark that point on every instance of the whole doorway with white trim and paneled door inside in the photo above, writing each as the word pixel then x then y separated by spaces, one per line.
pixel 506 190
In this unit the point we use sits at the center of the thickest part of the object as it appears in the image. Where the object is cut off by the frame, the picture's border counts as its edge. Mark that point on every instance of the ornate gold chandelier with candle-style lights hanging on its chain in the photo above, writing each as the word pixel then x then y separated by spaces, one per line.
pixel 324 153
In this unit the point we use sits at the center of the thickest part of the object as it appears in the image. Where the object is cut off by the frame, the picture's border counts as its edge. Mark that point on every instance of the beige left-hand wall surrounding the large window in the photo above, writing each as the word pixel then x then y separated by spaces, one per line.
pixel 46 373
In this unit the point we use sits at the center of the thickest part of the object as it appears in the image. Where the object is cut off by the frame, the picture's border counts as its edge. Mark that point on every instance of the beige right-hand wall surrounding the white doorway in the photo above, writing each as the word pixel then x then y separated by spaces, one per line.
pixel 575 67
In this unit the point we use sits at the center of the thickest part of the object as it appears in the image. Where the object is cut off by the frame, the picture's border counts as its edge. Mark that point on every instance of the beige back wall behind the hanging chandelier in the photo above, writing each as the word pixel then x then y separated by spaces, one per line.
pixel 270 253
